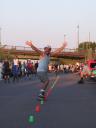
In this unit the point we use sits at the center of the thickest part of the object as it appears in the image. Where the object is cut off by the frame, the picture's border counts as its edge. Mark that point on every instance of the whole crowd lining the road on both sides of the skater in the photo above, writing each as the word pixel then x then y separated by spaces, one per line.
pixel 15 70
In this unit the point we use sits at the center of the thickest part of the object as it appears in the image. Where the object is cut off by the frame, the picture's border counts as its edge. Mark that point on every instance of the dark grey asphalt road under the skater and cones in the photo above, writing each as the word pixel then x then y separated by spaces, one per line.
pixel 69 105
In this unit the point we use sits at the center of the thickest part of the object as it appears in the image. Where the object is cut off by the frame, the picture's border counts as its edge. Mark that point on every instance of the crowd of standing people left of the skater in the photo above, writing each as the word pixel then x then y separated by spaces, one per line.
pixel 16 69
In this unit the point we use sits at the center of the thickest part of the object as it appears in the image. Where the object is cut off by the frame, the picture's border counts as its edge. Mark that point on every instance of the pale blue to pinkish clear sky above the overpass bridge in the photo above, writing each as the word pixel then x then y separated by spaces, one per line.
pixel 47 22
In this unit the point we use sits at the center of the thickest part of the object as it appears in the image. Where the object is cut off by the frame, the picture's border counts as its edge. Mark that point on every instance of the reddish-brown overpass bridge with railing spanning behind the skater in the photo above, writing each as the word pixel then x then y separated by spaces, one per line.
pixel 27 53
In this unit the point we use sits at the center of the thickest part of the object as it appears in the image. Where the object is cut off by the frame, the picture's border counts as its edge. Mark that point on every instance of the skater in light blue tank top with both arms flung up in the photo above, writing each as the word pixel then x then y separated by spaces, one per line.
pixel 44 60
